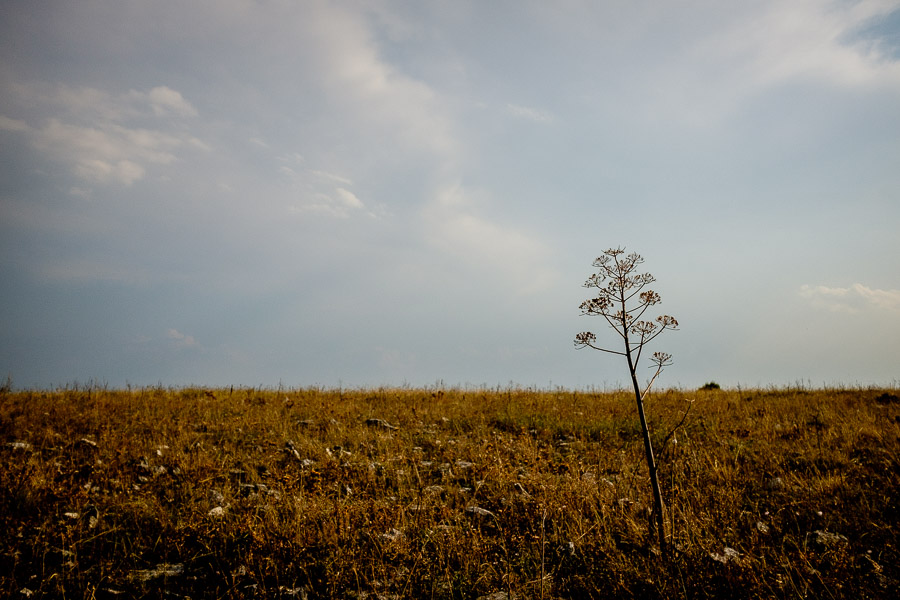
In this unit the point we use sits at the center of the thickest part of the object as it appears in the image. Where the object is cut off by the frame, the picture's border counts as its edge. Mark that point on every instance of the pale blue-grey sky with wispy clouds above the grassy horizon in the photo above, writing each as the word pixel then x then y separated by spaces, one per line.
pixel 389 193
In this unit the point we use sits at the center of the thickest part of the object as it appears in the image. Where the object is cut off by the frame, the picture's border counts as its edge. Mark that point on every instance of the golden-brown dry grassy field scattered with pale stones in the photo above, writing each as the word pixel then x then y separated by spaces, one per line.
pixel 415 493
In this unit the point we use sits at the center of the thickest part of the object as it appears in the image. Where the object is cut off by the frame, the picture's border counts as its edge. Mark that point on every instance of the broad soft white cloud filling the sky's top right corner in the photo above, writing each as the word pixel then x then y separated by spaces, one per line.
pixel 734 55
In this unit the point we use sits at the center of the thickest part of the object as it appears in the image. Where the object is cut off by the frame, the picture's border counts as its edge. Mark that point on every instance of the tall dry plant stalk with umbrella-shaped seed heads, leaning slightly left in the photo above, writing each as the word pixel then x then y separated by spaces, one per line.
pixel 622 299
